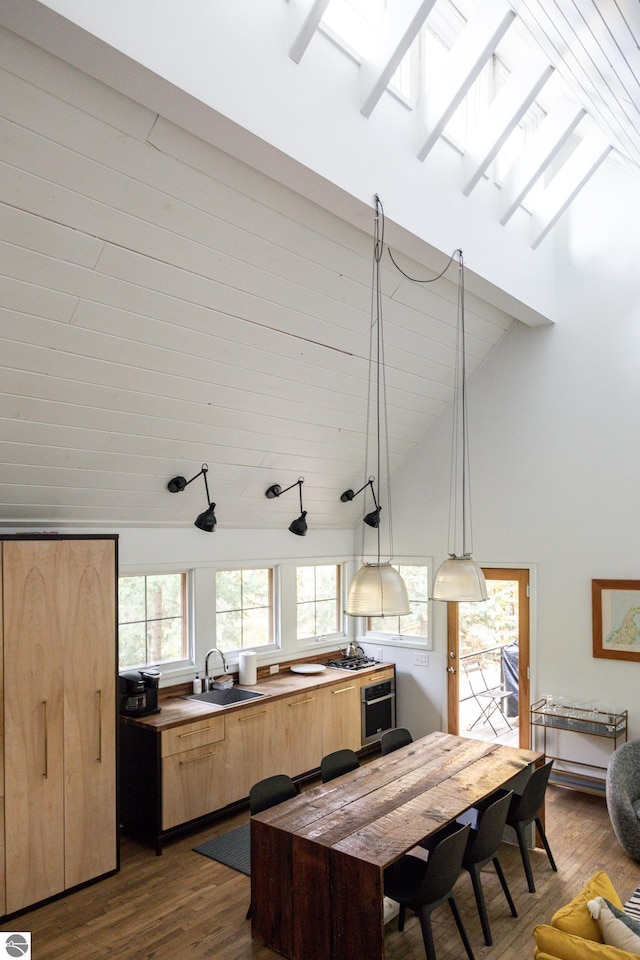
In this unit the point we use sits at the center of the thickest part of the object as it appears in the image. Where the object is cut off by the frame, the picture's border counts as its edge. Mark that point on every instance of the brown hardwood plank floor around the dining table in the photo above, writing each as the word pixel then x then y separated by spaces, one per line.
pixel 184 906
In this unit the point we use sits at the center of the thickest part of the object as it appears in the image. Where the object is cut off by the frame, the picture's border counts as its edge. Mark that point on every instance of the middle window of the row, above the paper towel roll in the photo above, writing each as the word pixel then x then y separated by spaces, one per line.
pixel 244 609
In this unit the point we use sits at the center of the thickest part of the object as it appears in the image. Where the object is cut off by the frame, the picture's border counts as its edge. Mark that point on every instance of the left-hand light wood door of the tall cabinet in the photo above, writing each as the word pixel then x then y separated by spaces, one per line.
pixel 33 723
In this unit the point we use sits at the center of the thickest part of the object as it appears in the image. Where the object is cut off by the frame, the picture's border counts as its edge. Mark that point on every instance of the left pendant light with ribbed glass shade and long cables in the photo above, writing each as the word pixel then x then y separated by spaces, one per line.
pixel 377 590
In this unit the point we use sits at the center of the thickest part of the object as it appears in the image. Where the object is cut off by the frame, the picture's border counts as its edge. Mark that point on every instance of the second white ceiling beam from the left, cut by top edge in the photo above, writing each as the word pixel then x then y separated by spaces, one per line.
pixel 400 25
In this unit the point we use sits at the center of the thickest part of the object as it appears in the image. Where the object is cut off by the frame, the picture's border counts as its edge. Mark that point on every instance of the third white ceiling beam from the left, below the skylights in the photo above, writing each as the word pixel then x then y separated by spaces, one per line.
pixel 485 28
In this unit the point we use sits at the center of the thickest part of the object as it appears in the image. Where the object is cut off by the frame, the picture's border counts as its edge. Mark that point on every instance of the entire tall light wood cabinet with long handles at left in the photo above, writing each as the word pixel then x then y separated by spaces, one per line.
pixel 59 633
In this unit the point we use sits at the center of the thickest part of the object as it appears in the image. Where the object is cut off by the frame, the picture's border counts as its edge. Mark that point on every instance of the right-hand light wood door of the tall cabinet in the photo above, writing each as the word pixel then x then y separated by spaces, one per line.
pixel 89 710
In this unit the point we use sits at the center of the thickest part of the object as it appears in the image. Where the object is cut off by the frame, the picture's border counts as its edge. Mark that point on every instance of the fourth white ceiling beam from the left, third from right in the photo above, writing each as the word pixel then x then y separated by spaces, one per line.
pixel 504 114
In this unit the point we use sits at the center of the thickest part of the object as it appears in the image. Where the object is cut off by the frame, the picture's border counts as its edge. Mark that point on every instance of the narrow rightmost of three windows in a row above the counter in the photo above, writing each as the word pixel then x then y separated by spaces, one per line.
pixel 318 604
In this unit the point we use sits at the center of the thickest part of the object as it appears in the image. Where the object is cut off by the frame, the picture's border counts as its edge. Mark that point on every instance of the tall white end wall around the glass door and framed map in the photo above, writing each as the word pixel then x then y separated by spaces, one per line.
pixel 555 455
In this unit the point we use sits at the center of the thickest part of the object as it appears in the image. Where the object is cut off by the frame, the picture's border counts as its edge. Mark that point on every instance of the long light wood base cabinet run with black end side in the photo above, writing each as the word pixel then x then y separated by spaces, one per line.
pixel 176 771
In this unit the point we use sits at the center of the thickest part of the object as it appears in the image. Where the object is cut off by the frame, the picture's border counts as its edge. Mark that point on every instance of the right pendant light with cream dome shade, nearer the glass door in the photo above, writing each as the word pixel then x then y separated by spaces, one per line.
pixel 460 578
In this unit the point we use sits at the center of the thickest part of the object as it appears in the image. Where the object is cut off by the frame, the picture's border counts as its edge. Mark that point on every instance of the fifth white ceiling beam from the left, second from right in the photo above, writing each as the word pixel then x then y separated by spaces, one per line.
pixel 550 137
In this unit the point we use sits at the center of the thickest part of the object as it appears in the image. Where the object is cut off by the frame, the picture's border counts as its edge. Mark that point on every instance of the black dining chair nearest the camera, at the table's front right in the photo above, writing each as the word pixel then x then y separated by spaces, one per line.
pixel 423 885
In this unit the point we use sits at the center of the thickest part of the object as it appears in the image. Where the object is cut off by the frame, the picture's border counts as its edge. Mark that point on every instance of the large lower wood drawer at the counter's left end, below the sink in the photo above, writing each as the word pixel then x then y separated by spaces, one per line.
pixel 193 784
